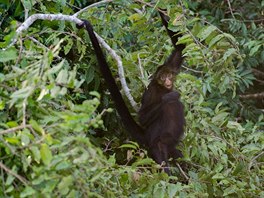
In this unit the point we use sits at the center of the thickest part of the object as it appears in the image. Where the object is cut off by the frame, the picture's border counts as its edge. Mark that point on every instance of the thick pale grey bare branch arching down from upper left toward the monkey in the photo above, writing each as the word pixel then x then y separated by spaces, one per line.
pixel 74 19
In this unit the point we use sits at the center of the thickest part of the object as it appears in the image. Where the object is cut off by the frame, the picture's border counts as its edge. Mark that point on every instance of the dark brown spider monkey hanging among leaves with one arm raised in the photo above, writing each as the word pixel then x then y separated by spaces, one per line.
pixel 161 114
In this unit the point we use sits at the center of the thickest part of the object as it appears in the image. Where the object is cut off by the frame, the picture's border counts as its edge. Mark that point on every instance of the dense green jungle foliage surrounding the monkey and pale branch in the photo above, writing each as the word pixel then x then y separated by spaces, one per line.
pixel 60 135
